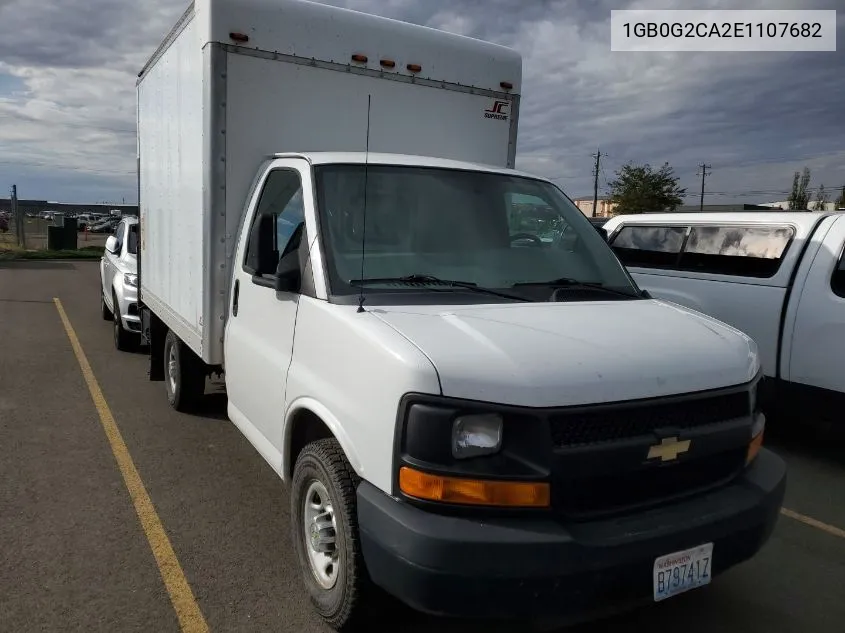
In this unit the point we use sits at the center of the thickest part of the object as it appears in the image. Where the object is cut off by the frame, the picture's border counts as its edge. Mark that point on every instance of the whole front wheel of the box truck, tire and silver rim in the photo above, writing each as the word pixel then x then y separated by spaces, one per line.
pixel 325 532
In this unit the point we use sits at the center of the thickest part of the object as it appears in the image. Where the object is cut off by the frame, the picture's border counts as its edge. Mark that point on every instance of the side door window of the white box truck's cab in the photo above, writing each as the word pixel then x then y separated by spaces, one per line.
pixel 280 211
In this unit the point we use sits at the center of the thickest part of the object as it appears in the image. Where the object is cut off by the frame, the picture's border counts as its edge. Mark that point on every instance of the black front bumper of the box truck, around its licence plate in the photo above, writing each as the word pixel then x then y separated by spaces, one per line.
pixel 545 568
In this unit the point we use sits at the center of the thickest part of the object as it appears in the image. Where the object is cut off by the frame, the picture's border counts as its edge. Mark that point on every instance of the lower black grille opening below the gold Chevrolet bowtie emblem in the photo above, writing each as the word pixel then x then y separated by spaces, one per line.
pixel 651 484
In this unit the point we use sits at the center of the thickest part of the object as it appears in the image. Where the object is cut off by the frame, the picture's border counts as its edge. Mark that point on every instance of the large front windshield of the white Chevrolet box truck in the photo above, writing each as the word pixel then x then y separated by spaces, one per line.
pixel 491 230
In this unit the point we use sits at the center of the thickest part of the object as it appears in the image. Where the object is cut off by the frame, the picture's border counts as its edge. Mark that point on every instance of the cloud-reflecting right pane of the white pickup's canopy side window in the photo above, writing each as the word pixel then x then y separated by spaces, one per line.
pixel 753 251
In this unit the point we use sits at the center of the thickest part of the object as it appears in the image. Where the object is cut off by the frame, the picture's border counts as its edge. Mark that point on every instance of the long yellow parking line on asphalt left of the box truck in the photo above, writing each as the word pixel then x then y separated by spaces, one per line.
pixel 187 610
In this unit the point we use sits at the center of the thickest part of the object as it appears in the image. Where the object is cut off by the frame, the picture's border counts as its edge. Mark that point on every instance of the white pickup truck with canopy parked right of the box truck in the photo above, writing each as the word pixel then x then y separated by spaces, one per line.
pixel 777 276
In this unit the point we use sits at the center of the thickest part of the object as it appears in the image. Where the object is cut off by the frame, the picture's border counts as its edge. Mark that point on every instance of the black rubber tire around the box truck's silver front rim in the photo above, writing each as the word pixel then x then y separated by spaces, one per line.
pixel 324 461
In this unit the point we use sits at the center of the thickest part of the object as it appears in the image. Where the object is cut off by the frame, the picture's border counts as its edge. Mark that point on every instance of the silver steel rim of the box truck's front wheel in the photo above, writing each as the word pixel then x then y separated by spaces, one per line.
pixel 320 534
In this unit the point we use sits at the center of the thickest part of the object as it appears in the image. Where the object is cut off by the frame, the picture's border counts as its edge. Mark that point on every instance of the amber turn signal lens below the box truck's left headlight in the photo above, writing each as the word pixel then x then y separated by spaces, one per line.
pixel 513 494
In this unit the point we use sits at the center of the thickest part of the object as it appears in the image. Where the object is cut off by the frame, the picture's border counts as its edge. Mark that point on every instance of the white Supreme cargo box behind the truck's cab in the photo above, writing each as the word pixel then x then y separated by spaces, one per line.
pixel 211 108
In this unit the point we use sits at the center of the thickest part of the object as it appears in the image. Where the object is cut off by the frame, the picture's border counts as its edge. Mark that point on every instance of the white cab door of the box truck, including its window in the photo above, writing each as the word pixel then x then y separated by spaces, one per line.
pixel 259 333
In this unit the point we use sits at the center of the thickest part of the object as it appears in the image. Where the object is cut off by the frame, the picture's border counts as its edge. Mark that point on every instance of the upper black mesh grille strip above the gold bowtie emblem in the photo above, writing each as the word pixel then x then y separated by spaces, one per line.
pixel 614 423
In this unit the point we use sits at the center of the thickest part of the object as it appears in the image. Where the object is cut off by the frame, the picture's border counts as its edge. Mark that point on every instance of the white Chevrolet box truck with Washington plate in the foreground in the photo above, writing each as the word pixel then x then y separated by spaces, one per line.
pixel 474 406
